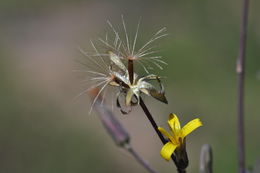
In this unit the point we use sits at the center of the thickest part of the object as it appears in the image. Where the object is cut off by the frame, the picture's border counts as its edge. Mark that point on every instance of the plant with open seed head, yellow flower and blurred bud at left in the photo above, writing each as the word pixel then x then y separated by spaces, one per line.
pixel 112 65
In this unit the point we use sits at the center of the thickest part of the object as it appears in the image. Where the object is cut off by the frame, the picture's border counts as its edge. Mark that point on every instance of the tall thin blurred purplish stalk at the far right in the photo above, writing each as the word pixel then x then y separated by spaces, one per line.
pixel 241 76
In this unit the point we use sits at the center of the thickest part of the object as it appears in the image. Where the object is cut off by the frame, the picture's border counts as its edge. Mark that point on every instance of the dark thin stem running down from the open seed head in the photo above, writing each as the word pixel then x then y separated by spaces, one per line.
pixel 164 141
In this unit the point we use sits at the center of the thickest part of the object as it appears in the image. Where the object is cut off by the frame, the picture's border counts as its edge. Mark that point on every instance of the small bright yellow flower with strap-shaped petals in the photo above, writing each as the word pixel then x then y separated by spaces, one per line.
pixel 176 139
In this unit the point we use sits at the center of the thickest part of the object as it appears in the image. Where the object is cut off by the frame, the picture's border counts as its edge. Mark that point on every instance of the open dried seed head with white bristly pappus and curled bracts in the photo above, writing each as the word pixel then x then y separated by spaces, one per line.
pixel 114 67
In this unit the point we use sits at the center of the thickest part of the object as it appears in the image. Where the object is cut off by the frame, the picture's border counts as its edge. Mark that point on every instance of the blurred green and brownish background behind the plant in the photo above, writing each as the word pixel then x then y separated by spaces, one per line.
pixel 42 129
